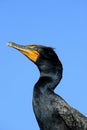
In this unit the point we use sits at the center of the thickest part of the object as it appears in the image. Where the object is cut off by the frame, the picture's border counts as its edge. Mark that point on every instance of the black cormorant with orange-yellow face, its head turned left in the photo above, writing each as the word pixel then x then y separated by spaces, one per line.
pixel 52 112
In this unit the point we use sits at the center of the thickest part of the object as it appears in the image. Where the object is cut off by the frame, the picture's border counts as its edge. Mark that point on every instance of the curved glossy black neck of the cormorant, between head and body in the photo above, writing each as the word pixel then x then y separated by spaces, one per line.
pixel 49 80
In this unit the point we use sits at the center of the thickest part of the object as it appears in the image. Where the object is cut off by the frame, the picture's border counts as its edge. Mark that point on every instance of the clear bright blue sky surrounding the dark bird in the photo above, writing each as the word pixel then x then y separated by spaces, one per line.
pixel 61 24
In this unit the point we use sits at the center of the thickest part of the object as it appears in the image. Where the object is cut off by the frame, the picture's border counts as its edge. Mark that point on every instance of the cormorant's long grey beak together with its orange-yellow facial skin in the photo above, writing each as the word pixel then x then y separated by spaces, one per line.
pixel 28 51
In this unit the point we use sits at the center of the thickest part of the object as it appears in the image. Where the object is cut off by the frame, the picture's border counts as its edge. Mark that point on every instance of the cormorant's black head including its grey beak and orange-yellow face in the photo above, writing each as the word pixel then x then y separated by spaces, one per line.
pixel 44 57
